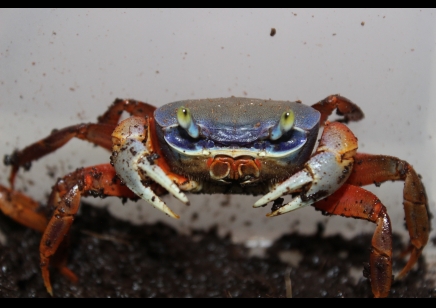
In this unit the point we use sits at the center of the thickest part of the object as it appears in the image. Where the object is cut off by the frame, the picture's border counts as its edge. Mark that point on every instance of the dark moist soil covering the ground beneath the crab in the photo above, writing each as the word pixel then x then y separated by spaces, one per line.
pixel 113 258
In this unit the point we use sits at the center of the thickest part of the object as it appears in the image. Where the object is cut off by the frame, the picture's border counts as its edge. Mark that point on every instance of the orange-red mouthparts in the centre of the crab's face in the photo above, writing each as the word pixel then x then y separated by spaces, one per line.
pixel 244 169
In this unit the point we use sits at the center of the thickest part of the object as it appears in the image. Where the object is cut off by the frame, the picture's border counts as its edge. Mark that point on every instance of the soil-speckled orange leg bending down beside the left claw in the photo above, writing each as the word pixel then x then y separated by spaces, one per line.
pixel 99 181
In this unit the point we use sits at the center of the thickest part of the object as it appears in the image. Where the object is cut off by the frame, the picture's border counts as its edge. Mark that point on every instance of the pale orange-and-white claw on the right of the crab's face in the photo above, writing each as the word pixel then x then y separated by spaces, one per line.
pixel 322 175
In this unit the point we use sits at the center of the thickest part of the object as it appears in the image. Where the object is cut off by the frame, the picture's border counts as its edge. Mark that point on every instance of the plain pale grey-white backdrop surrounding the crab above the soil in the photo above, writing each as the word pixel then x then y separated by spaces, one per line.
pixel 62 67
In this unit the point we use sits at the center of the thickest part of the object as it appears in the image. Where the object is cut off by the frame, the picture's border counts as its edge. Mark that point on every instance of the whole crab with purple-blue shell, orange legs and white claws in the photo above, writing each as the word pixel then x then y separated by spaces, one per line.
pixel 226 146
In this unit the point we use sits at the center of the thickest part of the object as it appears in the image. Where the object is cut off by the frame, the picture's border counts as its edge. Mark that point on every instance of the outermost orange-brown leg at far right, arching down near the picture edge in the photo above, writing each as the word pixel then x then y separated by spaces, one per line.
pixel 375 169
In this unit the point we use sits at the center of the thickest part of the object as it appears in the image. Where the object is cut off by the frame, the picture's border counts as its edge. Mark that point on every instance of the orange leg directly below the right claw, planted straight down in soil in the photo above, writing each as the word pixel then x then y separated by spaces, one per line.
pixel 356 202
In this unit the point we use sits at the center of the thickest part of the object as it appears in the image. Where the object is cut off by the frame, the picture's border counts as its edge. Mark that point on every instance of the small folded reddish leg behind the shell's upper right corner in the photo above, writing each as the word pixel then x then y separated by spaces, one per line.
pixel 344 106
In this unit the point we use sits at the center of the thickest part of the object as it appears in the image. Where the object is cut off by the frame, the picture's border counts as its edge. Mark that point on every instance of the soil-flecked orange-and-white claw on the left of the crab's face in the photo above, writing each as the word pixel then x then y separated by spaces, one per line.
pixel 134 161
